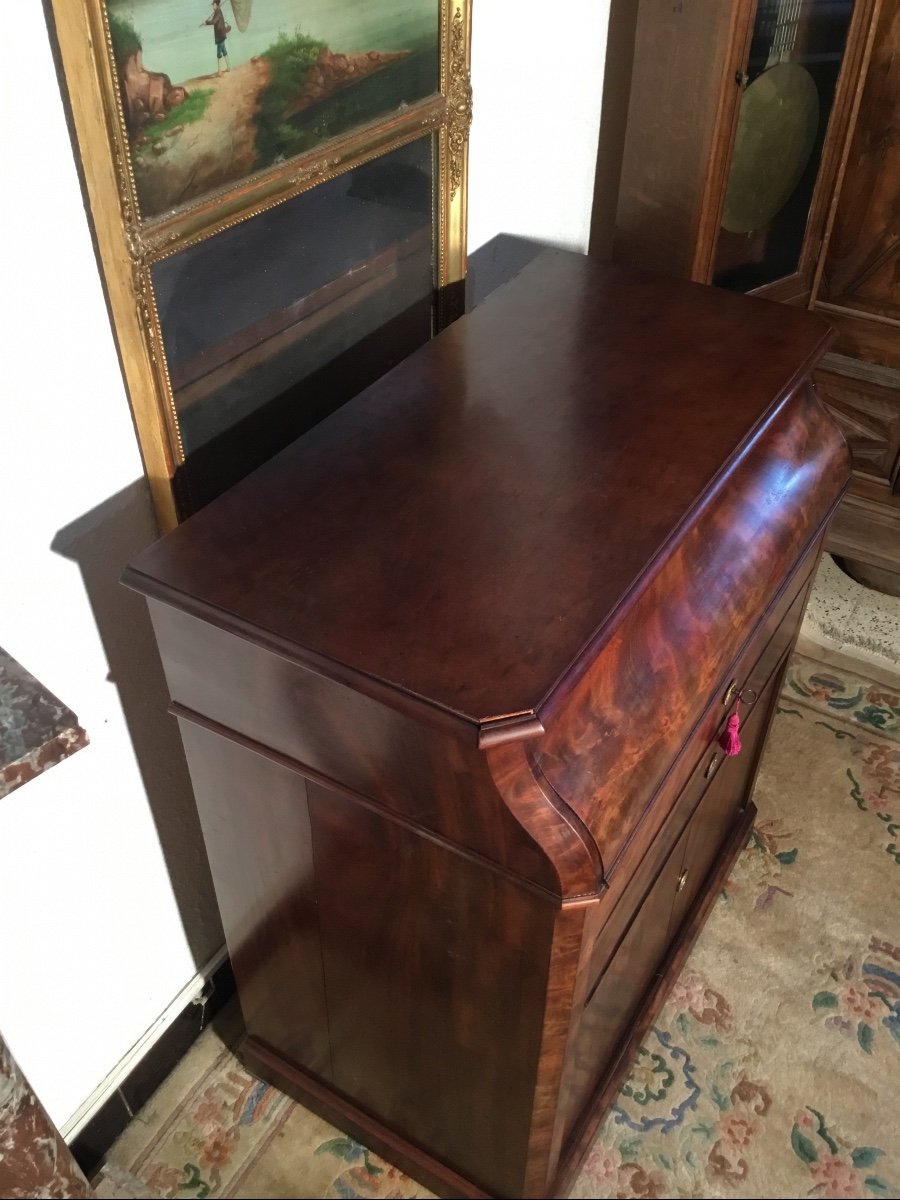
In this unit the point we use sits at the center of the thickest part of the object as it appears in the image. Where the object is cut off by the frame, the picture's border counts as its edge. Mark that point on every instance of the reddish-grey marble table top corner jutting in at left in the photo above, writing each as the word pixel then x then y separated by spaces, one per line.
pixel 37 730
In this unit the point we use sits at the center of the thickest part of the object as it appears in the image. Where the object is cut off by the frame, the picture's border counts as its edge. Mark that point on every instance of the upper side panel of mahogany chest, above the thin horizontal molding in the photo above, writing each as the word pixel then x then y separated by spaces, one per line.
pixel 335 734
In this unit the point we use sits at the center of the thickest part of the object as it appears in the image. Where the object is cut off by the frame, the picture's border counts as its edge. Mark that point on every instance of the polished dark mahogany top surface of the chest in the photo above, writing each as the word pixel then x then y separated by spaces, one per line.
pixel 464 530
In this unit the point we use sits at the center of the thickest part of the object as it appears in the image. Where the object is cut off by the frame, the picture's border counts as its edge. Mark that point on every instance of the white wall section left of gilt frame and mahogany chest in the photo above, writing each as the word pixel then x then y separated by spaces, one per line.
pixel 92 941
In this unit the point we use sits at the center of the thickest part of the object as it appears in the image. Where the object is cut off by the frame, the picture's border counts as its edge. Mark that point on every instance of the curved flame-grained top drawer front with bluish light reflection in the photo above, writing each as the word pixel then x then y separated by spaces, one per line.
pixel 615 731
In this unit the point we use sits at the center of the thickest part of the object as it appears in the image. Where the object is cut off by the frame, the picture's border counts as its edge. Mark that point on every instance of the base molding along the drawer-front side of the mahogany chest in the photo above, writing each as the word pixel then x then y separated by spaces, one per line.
pixel 579 1145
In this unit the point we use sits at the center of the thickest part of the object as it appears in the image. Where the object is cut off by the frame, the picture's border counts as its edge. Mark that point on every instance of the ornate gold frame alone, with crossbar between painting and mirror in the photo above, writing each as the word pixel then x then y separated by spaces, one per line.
pixel 129 245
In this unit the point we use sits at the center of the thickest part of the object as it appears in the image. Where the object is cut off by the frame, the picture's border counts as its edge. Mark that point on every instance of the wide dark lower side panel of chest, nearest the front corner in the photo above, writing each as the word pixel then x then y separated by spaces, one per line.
pixel 436 974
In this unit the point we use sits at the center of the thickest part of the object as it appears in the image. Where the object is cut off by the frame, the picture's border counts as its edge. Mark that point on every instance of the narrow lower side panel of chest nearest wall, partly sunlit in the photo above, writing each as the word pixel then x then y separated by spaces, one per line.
pixel 256 825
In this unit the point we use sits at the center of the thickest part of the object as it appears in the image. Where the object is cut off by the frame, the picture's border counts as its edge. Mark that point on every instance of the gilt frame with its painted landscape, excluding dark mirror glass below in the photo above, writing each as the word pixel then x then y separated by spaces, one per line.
pixel 191 121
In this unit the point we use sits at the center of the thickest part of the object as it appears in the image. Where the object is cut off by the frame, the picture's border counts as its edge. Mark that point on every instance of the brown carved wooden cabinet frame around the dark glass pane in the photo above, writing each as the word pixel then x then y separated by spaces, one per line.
pixel 669 131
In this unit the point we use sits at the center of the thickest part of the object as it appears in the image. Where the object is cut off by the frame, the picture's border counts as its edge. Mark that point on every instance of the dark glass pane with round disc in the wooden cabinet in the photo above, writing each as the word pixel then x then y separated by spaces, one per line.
pixel 789 92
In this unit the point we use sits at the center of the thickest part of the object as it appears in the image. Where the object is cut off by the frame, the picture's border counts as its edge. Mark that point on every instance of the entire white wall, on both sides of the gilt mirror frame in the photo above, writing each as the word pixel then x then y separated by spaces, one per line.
pixel 93 946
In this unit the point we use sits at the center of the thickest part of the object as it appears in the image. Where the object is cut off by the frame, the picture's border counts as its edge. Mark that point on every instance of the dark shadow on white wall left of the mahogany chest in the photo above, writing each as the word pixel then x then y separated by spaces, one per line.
pixel 101 543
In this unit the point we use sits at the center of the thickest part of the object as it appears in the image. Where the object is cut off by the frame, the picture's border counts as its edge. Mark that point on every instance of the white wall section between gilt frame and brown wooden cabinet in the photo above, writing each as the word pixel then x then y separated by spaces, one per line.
pixel 537 76
